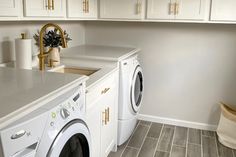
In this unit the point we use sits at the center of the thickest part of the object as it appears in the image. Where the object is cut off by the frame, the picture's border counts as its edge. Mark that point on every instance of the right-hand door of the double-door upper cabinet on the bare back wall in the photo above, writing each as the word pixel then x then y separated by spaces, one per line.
pixel 190 9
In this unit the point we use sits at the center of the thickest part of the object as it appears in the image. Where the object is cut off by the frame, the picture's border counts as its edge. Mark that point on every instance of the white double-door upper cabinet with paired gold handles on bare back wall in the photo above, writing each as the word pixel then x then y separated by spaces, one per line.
pixel 176 9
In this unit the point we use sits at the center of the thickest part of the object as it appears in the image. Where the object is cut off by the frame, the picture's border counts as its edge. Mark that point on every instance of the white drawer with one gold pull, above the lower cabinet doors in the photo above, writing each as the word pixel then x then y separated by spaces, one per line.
pixel 100 89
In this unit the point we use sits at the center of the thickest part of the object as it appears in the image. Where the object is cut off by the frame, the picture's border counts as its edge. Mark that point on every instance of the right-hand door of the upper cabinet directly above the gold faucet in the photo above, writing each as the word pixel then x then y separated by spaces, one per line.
pixel 59 9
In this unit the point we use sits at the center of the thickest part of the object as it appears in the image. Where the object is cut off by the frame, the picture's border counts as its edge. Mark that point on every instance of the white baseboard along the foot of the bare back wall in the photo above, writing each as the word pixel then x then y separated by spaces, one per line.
pixel 177 122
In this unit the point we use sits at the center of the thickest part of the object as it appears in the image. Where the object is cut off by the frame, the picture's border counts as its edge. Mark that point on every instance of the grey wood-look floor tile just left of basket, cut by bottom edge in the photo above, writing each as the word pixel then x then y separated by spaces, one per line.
pixel 209 147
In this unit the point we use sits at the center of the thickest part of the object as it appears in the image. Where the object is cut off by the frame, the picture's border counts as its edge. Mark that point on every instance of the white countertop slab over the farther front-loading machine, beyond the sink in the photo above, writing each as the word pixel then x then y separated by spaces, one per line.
pixel 99 52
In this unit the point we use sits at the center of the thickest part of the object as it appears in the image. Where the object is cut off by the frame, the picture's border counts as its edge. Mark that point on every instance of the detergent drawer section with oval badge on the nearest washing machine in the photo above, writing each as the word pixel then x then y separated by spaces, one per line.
pixel 21 138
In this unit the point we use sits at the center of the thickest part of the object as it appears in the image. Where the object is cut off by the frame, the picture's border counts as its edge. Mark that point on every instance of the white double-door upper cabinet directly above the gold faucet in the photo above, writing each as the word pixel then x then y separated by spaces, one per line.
pixel 44 8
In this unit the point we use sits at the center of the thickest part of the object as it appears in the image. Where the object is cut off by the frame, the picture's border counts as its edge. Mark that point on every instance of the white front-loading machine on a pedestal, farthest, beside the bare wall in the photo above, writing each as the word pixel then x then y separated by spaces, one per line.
pixel 130 96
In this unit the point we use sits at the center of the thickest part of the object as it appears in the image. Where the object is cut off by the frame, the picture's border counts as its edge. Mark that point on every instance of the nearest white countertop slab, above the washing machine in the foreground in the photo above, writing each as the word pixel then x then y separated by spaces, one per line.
pixel 25 89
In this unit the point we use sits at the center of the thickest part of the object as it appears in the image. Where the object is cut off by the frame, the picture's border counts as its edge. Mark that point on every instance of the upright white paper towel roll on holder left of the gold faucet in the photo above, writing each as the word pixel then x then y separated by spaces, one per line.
pixel 23 53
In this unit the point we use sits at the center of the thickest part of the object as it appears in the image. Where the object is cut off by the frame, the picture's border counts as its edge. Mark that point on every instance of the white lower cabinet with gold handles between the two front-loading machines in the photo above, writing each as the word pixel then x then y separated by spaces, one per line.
pixel 102 103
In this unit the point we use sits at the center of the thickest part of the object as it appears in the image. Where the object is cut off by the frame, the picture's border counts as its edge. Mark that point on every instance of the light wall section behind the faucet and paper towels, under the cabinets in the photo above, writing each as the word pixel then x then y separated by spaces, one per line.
pixel 11 30
